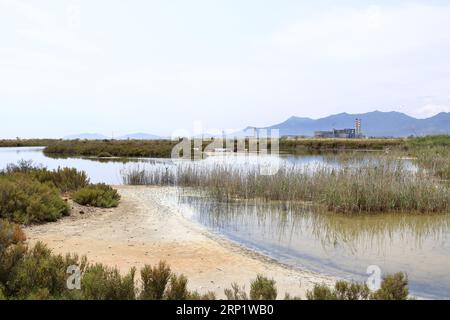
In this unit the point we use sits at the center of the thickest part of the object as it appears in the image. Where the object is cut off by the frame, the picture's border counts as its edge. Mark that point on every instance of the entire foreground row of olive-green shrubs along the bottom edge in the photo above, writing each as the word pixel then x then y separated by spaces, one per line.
pixel 35 273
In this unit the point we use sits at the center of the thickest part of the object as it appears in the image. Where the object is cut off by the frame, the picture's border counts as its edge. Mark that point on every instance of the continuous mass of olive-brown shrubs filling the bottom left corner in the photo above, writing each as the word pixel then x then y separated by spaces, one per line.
pixel 36 273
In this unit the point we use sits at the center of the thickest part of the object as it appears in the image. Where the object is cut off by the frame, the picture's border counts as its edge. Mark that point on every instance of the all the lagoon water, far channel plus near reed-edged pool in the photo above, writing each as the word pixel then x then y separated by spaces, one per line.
pixel 296 235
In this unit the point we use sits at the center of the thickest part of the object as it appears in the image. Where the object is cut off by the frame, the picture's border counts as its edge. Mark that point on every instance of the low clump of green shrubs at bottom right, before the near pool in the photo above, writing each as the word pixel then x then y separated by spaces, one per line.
pixel 393 287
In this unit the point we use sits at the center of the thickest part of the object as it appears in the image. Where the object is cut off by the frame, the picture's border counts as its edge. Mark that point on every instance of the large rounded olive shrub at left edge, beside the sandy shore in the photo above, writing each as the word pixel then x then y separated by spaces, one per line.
pixel 26 200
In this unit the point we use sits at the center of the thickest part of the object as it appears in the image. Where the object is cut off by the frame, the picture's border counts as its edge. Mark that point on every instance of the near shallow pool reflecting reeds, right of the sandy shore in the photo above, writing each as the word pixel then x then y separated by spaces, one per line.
pixel 339 245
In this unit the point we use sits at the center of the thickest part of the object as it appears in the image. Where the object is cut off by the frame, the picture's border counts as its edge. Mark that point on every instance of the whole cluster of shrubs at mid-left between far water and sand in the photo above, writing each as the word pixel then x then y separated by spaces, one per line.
pixel 30 194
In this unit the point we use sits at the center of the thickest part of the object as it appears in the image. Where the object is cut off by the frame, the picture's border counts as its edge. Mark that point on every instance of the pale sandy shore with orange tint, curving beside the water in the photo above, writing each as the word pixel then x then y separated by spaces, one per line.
pixel 144 230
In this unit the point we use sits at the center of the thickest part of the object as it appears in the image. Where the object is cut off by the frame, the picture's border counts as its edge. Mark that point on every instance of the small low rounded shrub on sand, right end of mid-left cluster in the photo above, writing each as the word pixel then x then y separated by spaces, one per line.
pixel 98 195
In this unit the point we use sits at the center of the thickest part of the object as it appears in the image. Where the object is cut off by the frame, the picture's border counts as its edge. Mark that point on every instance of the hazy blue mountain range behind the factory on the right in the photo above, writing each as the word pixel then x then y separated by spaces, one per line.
pixel 374 124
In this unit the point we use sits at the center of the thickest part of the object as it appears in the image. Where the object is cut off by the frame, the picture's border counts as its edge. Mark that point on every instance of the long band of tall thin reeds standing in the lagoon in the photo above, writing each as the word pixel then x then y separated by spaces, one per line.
pixel 378 186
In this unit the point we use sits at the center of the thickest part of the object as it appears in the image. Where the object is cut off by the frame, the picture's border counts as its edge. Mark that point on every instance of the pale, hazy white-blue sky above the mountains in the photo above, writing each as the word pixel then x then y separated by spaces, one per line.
pixel 116 67
